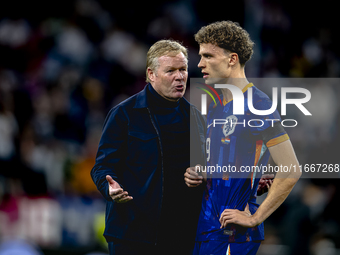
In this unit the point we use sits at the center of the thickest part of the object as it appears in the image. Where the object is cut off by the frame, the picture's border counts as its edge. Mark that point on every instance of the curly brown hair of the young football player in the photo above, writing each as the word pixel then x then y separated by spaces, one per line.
pixel 227 35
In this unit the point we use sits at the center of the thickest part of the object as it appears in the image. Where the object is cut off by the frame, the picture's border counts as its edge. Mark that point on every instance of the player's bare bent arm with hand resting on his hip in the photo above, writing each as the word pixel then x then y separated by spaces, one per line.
pixel 283 155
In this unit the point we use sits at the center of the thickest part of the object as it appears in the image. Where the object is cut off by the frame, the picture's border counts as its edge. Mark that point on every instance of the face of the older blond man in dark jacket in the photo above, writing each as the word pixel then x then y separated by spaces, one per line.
pixel 170 78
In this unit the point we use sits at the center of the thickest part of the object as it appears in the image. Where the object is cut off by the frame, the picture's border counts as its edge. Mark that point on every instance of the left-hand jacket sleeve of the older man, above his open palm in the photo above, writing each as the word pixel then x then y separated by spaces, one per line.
pixel 111 150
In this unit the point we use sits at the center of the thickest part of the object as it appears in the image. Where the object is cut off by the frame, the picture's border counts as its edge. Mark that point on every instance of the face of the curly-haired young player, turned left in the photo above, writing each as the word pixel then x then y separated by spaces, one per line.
pixel 214 63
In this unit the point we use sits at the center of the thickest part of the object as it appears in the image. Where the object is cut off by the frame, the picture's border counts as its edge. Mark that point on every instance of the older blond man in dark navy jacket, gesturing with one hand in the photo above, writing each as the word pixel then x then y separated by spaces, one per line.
pixel 142 156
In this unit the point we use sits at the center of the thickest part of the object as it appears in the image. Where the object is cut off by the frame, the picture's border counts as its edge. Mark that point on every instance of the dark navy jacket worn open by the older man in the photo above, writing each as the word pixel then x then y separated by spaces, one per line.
pixel 130 150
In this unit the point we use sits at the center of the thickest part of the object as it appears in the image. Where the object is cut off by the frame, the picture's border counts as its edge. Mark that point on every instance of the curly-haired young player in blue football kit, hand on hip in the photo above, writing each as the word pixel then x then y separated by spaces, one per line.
pixel 230 220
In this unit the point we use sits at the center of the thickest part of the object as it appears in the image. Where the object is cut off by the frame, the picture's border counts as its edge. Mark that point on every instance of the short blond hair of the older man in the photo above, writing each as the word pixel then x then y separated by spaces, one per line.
pixel 162 48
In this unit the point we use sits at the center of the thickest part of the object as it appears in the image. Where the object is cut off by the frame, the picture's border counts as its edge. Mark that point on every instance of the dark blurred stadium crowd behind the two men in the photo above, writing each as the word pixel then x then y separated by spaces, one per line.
pixel 64 64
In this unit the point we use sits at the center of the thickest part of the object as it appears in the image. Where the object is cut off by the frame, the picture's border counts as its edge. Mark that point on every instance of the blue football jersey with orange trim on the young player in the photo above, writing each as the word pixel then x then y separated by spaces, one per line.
pixel 236 143
